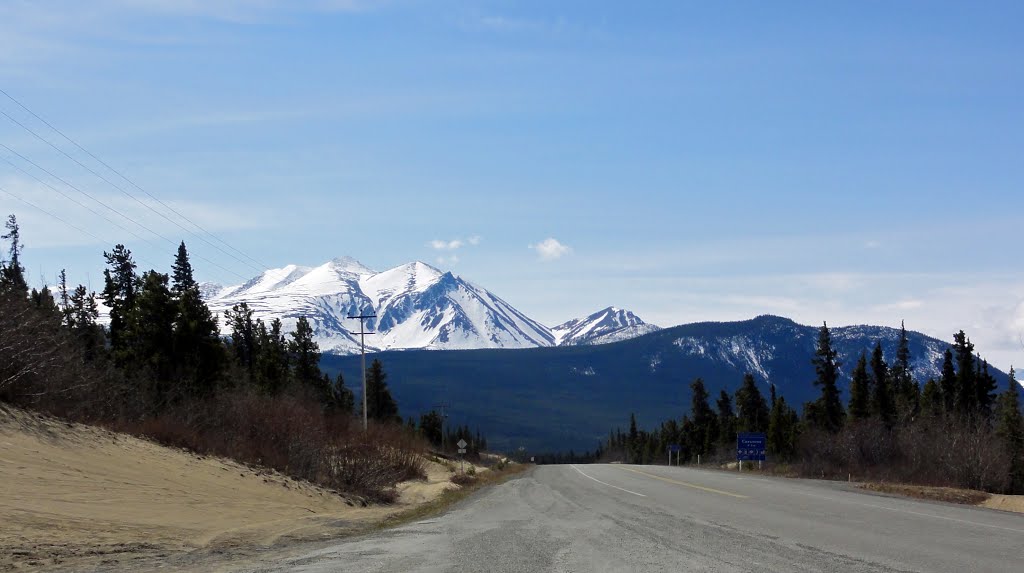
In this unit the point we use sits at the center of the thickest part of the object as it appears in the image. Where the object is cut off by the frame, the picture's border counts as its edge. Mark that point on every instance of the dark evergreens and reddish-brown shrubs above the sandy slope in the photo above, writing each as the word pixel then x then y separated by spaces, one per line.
pixel 163 370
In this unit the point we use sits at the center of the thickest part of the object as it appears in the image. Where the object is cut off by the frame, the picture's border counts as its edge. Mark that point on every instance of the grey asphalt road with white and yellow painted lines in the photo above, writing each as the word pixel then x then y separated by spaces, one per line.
pixel 638 518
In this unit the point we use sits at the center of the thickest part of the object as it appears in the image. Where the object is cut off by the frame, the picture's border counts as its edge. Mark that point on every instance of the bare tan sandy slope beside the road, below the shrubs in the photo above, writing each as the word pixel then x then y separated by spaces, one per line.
pixel 78 497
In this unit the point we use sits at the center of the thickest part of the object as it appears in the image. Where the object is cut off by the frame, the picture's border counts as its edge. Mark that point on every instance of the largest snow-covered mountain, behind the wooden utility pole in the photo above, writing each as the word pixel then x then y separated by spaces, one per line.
pixel 417 306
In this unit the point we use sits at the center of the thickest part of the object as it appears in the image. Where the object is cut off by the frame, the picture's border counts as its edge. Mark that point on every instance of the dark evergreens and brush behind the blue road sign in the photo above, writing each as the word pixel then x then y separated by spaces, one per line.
pixel 952 431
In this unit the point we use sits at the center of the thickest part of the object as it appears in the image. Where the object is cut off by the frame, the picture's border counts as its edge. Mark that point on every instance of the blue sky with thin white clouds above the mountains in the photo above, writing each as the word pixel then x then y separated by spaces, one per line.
pixel 846 162
